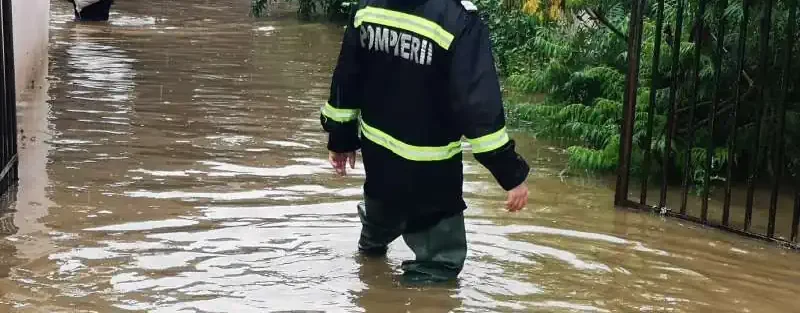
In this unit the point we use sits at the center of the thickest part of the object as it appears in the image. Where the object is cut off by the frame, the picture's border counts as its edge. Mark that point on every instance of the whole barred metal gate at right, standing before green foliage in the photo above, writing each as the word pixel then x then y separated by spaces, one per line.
pixel 745 54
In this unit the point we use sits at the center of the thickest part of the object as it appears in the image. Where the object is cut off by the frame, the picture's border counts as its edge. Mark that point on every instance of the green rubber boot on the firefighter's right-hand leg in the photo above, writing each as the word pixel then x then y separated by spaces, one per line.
pixel 440 252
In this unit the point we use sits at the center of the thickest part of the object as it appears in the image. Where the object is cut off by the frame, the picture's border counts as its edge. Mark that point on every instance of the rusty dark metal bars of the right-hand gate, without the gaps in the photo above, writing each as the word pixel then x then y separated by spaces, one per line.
pixel 769 118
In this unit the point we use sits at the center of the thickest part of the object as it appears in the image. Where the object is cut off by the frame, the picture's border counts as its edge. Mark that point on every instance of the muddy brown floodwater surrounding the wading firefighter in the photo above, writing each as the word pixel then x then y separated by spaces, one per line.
pixel 174 162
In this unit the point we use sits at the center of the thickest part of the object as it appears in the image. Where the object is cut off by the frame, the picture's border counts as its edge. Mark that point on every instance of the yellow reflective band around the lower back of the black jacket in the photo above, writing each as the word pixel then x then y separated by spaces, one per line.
pixel 406 151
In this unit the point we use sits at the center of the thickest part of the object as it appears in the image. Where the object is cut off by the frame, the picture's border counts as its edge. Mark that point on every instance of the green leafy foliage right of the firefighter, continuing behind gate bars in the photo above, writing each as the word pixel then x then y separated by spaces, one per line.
pixel 578 62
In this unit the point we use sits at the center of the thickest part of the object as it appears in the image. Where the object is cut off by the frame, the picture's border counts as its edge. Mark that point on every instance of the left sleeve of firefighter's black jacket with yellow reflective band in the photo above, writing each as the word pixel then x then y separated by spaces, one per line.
pixel 339 115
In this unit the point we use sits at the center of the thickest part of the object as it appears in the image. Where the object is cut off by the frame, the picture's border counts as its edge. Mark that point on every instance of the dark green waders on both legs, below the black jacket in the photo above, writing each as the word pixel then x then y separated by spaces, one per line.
pixel 438 241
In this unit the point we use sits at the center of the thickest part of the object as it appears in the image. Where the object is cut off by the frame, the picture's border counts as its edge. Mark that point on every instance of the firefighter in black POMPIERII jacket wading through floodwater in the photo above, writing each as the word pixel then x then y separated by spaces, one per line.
pixel 413 77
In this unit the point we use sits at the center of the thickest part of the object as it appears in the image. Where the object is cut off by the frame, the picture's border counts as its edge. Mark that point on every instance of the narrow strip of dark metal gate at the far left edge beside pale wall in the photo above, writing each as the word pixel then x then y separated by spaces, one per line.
pixel 8 113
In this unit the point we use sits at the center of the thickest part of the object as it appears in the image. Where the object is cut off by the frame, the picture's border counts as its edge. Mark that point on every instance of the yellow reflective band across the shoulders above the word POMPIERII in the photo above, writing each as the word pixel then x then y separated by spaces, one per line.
pixel 405 21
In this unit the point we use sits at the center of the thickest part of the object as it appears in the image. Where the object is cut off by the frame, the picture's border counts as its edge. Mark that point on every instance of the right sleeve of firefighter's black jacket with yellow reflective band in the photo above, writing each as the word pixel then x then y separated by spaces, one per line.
pixel 477 105
